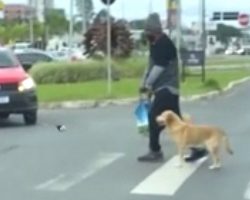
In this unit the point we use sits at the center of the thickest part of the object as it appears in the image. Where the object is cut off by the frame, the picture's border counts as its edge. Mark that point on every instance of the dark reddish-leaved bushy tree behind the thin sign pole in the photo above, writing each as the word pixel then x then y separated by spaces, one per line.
pixel 96 37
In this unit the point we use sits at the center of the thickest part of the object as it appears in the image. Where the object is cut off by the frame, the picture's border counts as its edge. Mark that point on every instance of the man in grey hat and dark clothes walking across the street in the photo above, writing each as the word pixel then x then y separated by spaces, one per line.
pixel 162 79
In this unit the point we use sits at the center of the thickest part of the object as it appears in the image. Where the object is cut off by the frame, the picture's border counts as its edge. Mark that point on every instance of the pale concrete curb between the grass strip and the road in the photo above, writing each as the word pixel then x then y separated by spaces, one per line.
pixel 129 101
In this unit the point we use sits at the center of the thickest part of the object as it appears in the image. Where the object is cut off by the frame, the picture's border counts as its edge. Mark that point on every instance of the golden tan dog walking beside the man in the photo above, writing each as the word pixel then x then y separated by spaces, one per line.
pixel 186 134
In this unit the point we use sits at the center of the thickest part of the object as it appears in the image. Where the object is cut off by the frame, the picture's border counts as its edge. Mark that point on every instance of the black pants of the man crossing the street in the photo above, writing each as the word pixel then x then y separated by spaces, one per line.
pixel 164 100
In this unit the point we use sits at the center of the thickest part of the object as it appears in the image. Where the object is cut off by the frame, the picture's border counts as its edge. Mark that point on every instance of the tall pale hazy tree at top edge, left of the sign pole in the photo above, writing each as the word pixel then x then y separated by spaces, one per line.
pixel 86 10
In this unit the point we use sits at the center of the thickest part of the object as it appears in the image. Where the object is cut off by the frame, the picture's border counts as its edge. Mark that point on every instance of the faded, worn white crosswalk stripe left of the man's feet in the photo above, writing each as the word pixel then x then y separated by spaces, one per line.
pixel 64 182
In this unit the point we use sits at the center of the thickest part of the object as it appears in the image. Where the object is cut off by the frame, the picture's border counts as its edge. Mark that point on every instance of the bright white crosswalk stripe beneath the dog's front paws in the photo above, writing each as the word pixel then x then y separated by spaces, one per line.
pixel 167 179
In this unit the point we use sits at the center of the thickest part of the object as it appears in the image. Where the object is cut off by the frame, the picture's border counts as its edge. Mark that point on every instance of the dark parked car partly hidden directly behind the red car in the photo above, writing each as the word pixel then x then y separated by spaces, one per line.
pixel 29 57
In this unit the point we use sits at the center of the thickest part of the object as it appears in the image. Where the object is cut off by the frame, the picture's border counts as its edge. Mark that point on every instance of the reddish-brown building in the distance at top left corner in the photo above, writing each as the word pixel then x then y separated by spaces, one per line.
pixel 19 12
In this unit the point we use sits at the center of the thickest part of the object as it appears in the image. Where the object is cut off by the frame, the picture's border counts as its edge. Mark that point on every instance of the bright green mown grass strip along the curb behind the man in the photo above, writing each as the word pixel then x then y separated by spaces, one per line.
pixel 129 87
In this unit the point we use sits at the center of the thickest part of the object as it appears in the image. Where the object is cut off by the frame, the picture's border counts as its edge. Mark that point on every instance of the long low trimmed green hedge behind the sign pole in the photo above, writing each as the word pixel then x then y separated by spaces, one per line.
pixel 87 70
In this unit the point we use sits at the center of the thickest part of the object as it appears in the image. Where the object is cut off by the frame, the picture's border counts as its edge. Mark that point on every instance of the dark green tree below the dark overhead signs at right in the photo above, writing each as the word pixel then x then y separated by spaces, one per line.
pixel 225 32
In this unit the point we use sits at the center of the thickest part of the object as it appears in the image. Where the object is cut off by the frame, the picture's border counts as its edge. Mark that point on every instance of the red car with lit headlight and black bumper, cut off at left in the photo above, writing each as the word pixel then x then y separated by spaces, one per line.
pixel 17 89
